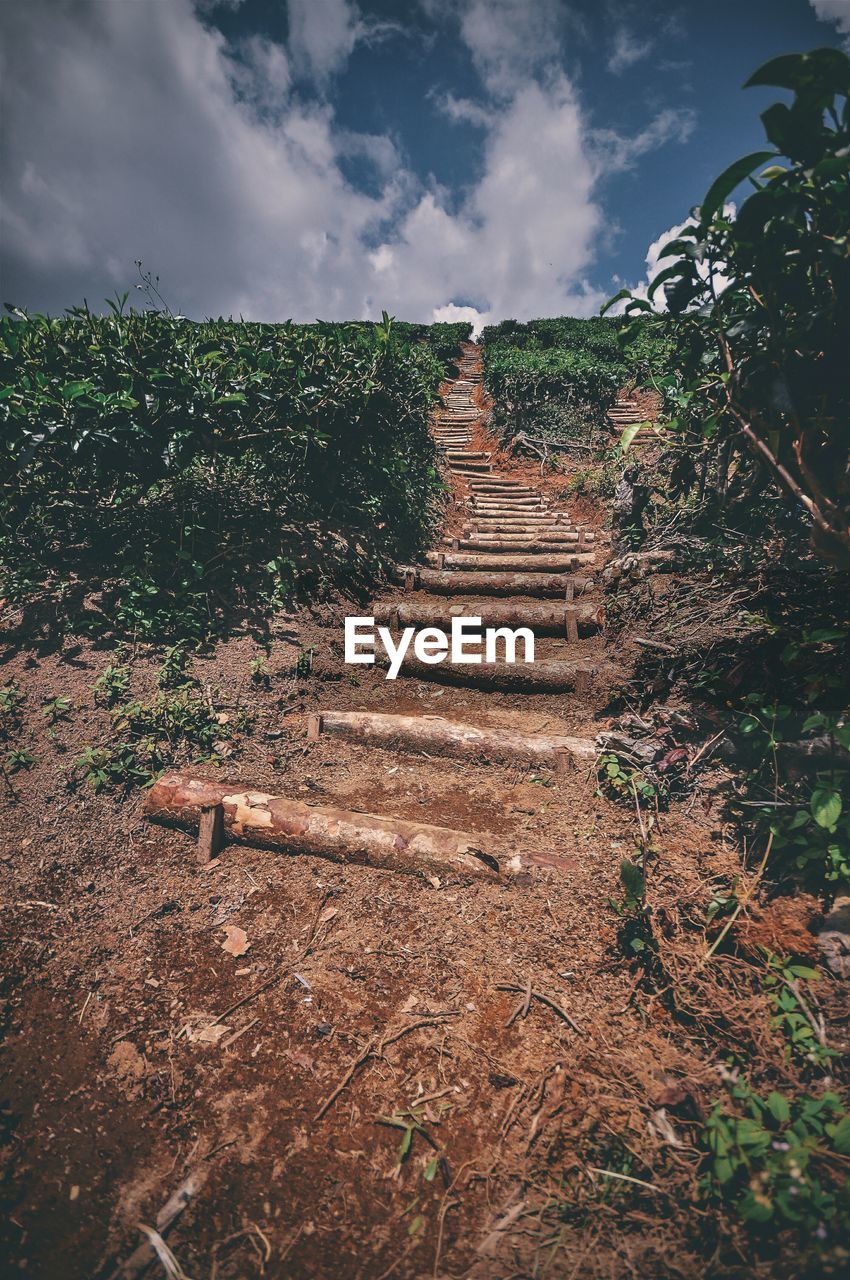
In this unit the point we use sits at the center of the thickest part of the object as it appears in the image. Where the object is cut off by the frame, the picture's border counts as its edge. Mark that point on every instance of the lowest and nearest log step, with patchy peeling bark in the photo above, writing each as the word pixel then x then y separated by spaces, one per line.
pixel 254 817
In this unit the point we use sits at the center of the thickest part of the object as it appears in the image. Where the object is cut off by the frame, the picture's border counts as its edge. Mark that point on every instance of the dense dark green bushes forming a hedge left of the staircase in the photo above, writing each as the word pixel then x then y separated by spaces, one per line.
pixel 182 470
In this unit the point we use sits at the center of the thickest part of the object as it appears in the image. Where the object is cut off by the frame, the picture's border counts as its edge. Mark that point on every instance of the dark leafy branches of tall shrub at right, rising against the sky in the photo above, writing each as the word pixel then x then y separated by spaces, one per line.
pixel 760 310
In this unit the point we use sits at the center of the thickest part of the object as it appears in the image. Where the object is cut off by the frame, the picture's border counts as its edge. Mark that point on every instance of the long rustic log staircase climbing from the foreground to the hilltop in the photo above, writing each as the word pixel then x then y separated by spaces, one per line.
pixel 518 561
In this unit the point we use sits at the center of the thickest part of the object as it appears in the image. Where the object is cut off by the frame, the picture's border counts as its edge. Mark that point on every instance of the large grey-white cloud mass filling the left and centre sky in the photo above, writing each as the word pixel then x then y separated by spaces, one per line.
pixel 135 131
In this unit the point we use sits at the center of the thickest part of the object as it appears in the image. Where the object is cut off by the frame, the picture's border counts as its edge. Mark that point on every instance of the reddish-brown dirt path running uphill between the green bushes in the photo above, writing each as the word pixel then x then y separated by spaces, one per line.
pixel 399 1076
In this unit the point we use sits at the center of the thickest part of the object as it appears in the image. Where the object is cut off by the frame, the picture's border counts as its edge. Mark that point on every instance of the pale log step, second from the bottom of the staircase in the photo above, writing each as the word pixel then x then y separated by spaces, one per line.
pixel 433 735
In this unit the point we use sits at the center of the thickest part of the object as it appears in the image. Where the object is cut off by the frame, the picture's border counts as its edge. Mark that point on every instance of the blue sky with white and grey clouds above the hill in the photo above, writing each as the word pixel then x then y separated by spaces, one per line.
pixel 437 159
